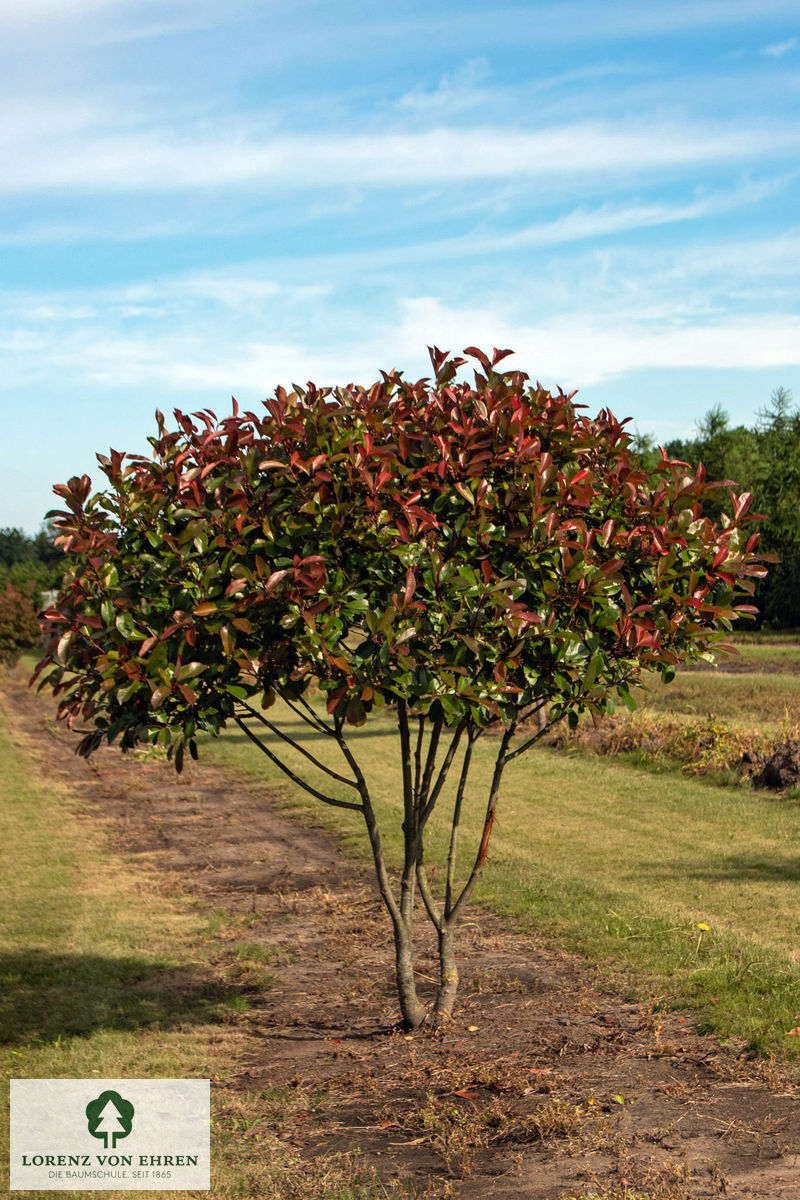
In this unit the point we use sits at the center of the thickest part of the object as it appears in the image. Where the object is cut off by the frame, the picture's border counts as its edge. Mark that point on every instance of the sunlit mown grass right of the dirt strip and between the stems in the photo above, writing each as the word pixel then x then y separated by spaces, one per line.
pixel 624 866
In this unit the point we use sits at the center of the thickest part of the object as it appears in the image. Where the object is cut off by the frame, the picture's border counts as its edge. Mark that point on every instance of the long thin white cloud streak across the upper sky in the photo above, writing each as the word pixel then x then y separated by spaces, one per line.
pixel 153 161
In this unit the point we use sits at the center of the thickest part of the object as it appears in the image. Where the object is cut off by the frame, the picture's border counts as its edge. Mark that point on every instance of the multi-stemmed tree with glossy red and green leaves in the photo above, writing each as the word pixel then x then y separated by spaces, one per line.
pixel 471 556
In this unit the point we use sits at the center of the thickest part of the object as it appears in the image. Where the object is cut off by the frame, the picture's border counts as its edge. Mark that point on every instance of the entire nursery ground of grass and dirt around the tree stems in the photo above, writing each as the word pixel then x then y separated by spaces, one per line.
pixel 630 999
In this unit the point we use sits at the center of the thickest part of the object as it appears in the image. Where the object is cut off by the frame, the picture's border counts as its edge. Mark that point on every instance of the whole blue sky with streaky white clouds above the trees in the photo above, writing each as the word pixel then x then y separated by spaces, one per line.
pixel 206 199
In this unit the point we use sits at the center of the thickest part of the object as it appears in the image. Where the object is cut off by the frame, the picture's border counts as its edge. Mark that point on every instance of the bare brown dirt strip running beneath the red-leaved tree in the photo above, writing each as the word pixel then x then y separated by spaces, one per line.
pixel 548 1085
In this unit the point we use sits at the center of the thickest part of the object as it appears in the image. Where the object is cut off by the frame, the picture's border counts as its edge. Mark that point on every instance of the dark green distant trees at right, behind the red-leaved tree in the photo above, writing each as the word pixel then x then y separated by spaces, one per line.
pixel 763 460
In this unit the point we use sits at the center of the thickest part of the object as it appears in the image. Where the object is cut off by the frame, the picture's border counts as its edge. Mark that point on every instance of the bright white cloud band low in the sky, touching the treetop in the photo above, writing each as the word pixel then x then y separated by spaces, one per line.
pixel 573 349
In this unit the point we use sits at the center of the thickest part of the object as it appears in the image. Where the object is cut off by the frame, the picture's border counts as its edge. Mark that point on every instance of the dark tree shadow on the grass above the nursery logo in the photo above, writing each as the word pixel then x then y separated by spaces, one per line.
pixel 46 997
